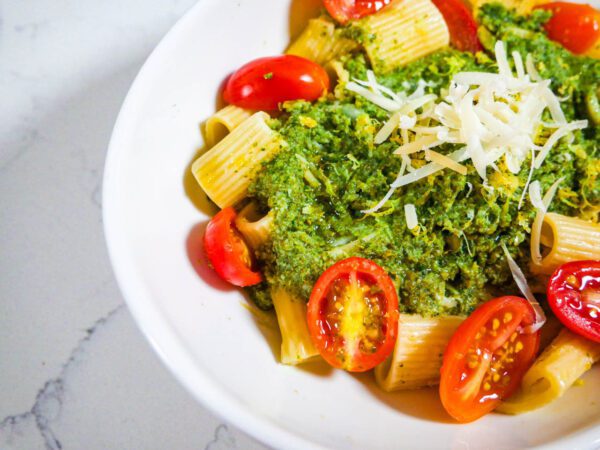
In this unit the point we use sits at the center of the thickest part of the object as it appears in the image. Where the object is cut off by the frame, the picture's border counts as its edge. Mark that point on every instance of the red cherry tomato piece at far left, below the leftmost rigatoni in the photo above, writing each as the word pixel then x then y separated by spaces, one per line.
pixel 227 252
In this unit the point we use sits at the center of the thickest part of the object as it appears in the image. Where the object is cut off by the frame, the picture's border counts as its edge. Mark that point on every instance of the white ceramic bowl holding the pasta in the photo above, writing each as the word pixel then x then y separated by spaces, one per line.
pixel 199 326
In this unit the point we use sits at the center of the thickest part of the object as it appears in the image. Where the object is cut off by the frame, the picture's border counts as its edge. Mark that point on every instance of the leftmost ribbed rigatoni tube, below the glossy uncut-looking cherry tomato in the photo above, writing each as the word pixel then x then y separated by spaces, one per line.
pixel 227 169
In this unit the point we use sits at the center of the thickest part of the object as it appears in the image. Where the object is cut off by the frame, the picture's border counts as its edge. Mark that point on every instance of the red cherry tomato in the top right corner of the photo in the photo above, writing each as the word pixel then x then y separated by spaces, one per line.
pixel 576 27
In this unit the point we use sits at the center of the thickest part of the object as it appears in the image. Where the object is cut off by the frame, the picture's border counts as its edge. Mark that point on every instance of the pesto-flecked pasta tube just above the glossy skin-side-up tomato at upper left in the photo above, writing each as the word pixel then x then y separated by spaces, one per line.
pixel 320 42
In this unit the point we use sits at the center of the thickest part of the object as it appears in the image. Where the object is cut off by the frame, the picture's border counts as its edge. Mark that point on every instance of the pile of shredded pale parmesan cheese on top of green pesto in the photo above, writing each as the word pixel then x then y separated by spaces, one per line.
pixel 493 116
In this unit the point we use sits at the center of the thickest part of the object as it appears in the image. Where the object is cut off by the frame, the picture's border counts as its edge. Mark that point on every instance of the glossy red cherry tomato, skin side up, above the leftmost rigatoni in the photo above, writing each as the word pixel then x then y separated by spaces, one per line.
pixel 265 82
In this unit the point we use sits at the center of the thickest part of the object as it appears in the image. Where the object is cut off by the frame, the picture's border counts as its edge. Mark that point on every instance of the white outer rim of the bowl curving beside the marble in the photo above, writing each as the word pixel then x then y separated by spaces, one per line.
pixel 163 338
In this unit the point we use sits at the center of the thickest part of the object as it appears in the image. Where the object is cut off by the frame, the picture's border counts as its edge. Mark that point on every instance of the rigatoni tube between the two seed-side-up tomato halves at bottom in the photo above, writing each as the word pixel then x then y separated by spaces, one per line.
pixel 418 354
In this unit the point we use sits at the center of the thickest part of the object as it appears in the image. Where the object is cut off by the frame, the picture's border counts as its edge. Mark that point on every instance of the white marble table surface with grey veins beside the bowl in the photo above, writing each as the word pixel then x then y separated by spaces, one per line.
pixel 75 372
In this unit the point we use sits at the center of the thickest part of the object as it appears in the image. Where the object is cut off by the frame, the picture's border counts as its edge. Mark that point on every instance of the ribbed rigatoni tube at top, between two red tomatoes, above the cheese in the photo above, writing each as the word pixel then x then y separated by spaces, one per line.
pixel 404 31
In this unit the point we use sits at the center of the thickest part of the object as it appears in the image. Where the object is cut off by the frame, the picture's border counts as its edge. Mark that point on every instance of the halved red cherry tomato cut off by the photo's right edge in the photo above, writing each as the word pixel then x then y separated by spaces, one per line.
pixel 574 296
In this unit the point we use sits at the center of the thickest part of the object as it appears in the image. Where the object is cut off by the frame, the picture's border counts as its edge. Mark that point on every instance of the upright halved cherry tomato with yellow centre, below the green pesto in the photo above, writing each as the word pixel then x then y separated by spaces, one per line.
pixel 353 314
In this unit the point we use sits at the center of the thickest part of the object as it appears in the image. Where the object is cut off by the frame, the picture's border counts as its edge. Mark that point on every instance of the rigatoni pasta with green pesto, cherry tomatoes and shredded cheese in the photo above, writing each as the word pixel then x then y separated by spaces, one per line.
pixel 413 189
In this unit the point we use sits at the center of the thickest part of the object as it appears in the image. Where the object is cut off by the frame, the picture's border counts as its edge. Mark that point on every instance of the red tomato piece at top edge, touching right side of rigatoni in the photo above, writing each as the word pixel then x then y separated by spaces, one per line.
pixel 461 24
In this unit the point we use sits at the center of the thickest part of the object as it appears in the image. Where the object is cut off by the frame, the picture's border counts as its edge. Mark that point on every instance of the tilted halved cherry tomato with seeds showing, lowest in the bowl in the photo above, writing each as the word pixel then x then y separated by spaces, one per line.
pixel 487 357
